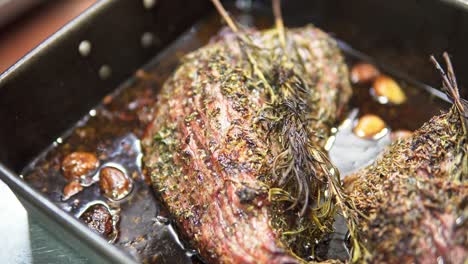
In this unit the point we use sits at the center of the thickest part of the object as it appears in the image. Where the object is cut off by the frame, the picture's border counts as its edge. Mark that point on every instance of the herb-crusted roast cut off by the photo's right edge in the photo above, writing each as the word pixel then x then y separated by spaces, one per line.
pixel 413 199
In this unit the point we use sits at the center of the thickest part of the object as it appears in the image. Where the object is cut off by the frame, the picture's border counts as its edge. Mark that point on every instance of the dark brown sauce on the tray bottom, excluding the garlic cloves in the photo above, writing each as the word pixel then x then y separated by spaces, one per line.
pixel 112 131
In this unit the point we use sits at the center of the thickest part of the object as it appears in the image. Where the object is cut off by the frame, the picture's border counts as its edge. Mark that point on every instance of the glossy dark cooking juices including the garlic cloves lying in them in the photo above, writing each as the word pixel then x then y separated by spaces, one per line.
pixel 94 170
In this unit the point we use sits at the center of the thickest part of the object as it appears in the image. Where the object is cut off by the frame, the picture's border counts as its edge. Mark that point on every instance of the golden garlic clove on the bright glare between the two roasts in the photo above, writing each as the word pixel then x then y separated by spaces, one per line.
pixel 370 127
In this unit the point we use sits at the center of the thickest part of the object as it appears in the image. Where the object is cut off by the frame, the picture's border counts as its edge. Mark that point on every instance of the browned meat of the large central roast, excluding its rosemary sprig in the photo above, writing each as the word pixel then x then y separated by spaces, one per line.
pixel 211 160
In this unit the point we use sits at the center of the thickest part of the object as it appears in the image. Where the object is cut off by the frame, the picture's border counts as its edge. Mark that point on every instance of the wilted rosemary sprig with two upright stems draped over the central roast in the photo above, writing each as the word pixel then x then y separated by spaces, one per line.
pixel 302 174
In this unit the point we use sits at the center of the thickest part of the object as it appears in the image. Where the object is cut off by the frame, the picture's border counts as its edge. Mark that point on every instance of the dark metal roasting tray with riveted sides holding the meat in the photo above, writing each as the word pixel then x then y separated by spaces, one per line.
pixel 53 86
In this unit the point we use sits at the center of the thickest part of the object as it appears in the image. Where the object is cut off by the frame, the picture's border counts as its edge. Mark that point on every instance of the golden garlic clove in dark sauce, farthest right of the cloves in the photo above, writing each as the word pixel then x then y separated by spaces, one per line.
pixel 389 90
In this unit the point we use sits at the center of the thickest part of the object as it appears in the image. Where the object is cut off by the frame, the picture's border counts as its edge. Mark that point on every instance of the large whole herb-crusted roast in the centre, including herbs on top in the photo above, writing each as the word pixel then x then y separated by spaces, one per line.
pixel 235 147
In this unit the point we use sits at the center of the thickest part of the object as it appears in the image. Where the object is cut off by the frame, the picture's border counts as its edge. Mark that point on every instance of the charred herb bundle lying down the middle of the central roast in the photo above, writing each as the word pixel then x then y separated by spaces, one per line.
pixel 301 178
